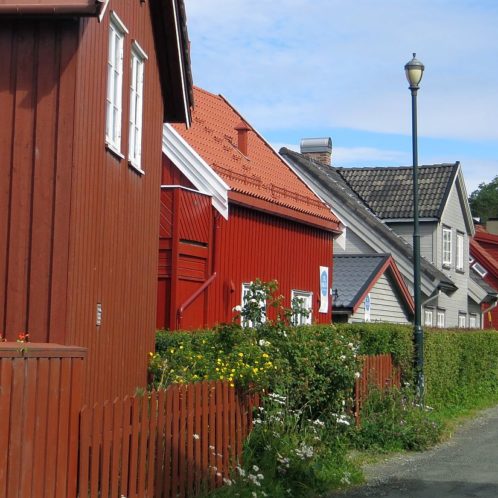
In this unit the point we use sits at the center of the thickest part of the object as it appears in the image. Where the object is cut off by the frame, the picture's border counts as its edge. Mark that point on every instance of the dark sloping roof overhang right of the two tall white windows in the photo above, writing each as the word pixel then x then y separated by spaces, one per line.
pixel 169 22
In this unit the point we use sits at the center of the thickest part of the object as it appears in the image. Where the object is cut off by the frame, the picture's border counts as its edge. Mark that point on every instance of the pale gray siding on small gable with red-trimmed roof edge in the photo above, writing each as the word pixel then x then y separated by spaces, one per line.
pixel 386 304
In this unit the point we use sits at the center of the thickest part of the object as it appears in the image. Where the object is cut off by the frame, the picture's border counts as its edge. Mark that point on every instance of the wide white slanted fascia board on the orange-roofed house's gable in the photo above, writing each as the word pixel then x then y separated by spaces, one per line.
pixel 191 164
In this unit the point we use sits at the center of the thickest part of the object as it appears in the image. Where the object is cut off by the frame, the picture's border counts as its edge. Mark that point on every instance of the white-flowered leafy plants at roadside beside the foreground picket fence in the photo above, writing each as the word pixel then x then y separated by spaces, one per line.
pixel 287 454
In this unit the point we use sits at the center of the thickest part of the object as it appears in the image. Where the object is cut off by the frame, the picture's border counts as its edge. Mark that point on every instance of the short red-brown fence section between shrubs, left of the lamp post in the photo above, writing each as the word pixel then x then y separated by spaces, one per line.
pixel 377 371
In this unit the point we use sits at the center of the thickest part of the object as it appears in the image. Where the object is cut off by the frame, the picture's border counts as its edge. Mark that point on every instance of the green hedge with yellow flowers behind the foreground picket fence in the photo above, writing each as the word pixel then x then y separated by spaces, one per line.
pixel 314 366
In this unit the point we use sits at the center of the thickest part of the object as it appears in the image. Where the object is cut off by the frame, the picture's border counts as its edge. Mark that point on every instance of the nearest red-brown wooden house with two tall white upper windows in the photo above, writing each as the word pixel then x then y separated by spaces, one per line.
pixel 85 87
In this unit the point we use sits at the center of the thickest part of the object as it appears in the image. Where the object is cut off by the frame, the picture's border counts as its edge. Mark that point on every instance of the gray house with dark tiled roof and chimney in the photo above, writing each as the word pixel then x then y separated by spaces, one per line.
pixel 375 205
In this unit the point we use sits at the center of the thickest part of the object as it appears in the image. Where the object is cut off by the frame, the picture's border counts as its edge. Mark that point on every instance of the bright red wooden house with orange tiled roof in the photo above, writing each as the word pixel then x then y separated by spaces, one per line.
pixel 233 211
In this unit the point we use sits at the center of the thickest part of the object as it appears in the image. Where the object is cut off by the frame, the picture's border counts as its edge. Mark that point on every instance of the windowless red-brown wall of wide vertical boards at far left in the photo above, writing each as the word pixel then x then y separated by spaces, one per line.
pixel 37 85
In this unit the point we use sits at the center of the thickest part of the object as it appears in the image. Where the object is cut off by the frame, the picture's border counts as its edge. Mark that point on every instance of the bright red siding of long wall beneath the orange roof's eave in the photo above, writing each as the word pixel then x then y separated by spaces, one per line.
pixel 254 245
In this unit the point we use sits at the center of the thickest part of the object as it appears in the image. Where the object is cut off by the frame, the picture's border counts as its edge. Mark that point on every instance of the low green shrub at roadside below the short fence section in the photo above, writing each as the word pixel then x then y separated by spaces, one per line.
pixel 392 420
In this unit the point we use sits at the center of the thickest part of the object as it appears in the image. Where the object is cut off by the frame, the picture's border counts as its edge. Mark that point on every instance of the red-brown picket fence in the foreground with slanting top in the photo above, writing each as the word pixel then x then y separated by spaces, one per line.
pixel 164 444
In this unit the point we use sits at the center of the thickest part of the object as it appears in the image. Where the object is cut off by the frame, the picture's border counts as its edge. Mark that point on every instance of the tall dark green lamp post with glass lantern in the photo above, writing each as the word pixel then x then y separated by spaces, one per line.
pixel 414 71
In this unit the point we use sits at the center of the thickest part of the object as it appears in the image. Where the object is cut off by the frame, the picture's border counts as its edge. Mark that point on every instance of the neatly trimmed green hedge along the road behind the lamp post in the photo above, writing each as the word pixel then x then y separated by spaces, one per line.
pixel 460 366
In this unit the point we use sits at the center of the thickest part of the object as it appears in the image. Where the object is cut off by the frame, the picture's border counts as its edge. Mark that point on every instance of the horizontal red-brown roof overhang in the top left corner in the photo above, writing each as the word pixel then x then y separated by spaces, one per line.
pixel 52 7
